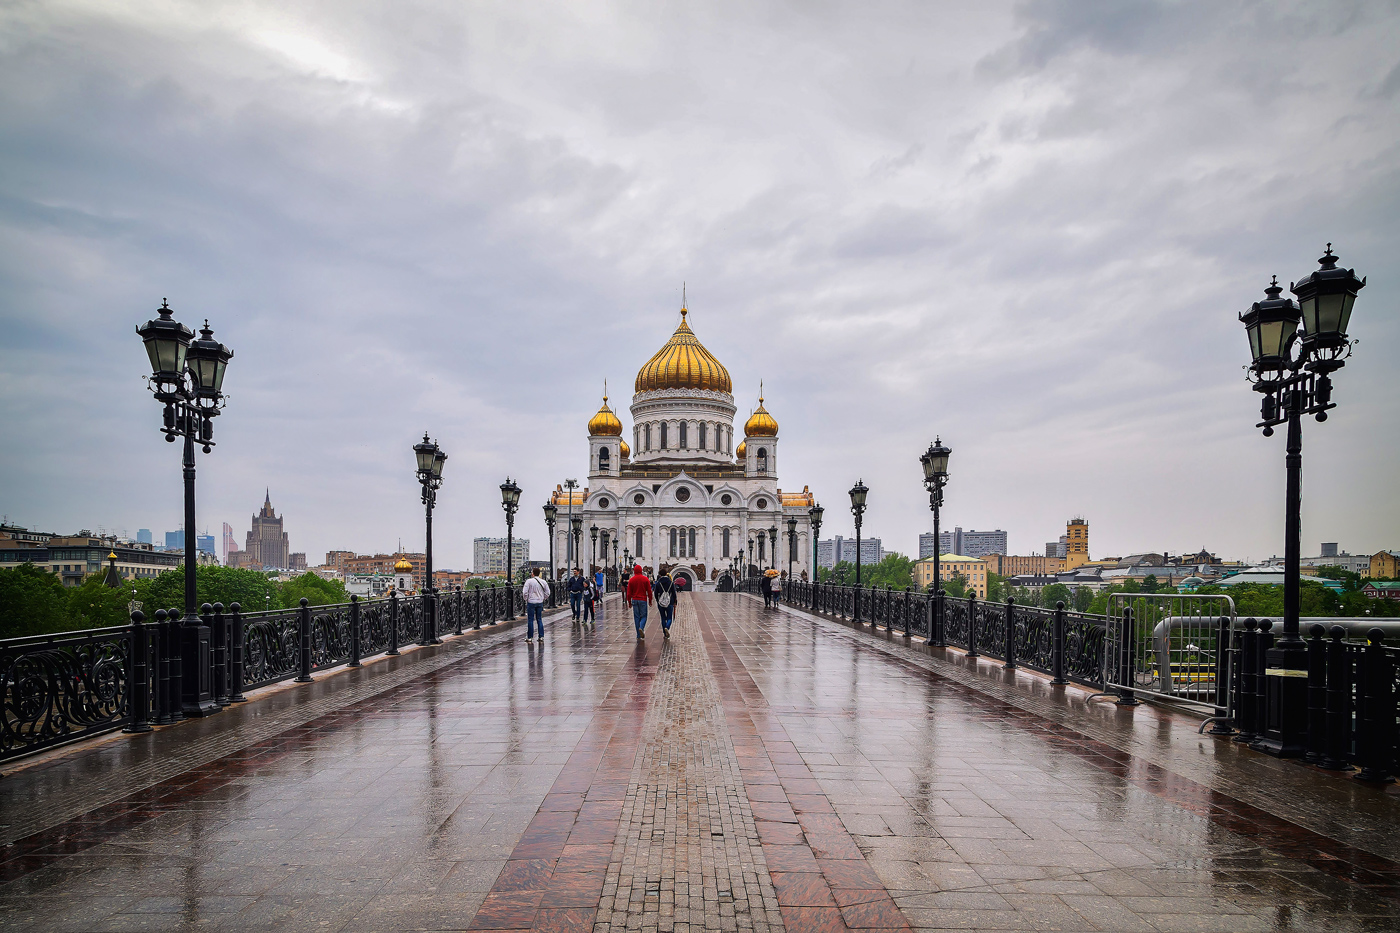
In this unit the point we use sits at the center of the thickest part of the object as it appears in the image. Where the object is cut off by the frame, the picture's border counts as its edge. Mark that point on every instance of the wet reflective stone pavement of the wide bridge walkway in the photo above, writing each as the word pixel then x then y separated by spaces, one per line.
pixel 759 771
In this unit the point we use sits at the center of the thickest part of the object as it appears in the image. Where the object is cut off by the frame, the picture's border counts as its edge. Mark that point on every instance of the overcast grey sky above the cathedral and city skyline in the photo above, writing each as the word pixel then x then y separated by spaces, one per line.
pixel 1025 228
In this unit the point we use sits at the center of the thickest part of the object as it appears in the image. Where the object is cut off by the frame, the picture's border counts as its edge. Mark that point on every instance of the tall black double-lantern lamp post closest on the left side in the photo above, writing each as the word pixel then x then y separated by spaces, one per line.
pixel 188 380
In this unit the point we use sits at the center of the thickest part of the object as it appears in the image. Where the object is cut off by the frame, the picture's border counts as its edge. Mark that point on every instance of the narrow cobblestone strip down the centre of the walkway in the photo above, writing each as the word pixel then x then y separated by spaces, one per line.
pixel 687 857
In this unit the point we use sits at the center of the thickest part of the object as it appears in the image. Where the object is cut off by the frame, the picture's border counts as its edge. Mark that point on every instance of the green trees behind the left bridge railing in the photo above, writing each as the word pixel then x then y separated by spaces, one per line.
pixel 34 602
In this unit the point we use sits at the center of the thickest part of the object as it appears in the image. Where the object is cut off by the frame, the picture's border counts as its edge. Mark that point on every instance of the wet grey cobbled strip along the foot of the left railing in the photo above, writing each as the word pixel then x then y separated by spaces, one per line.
pixel 44 796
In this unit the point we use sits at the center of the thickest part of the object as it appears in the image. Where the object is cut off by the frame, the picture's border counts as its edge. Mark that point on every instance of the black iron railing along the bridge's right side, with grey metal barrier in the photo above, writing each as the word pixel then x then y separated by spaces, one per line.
pixel 1179 648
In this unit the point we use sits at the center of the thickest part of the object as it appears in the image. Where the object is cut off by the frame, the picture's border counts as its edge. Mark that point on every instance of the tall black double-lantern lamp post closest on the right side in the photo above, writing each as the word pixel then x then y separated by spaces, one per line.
pixel 1293 371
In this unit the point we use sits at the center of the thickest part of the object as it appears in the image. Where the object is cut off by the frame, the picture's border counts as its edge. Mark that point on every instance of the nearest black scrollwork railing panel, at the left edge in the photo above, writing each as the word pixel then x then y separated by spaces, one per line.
pixel 58 689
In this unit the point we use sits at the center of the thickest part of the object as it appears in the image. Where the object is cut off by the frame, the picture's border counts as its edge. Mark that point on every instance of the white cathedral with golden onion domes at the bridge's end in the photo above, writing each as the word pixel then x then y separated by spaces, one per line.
pixel 682 497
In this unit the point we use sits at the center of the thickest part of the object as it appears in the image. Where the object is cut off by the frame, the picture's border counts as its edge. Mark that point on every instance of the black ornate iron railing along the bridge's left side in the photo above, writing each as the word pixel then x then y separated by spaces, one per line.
pixel 59 689
